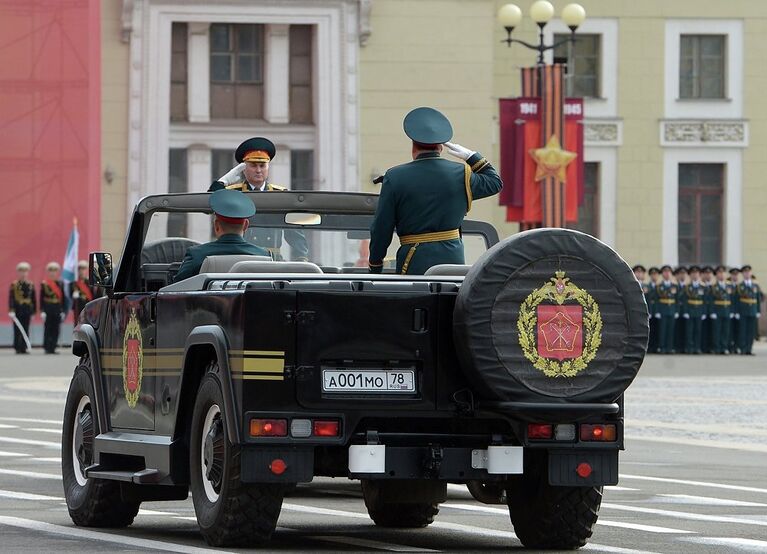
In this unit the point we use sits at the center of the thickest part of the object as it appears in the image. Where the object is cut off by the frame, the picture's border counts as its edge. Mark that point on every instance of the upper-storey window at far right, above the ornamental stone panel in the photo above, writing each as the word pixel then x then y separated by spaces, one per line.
pixel 701 66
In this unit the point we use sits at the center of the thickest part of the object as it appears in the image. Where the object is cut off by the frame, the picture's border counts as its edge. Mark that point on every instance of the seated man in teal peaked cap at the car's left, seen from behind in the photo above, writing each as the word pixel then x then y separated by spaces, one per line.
pixel 232 209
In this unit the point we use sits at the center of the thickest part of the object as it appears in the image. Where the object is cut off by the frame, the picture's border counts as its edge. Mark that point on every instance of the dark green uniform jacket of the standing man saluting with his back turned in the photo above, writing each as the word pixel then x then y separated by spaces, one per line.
pixel 430 194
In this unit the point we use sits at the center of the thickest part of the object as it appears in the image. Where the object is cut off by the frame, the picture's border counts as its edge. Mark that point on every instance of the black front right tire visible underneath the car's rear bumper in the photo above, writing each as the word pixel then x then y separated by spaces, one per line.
pixel 385 511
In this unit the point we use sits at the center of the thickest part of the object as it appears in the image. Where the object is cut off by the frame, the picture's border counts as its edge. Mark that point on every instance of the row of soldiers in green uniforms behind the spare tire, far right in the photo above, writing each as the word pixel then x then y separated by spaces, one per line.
pixel 701 310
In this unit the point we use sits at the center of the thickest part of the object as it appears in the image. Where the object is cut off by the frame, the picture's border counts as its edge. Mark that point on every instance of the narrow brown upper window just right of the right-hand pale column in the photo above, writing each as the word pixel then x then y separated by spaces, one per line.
pixel 301 108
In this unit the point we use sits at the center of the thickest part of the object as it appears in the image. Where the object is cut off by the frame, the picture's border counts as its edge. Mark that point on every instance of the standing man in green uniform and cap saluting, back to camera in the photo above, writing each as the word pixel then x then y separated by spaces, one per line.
pixel 426 200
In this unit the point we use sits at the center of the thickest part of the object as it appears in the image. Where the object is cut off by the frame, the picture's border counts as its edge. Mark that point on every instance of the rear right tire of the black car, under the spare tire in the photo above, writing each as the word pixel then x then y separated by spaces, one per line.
pixel 548 517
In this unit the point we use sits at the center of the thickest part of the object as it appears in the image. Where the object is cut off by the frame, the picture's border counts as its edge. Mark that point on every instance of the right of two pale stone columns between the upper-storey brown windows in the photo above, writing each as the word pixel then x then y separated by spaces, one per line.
pixel 277 74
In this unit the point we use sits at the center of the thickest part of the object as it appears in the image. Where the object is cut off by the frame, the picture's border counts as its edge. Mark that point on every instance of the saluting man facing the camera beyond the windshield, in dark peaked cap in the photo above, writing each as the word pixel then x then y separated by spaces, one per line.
pixel 251 174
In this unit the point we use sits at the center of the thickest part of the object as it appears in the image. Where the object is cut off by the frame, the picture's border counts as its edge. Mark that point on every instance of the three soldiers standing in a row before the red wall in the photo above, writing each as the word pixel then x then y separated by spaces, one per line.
pixel 23 303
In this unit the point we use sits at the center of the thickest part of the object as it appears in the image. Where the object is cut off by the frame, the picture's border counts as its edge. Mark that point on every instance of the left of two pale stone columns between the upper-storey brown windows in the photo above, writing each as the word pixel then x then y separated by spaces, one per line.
pixel 198 72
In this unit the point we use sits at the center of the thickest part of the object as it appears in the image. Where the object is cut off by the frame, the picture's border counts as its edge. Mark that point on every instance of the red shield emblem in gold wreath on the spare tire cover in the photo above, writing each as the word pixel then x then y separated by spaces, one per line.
pixel 560 327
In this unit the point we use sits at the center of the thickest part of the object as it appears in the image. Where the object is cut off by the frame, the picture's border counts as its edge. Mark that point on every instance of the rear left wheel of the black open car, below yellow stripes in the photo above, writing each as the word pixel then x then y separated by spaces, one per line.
pixel 234 513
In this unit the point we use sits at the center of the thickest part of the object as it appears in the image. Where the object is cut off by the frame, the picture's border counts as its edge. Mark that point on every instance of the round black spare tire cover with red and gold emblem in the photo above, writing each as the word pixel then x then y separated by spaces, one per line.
pixel 551 315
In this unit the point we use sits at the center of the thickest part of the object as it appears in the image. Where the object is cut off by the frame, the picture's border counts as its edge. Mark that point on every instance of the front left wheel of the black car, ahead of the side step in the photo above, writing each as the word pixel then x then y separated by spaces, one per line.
pixel 91 502
